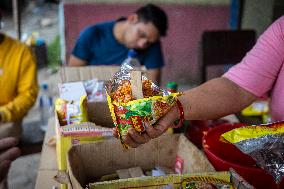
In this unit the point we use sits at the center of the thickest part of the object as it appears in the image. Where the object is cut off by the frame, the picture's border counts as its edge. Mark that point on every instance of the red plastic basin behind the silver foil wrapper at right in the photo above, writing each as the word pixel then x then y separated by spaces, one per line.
pixel 224 155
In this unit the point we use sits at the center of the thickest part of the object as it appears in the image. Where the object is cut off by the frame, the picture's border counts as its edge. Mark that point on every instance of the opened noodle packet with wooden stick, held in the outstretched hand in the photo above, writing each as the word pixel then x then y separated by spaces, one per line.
pixel 135 100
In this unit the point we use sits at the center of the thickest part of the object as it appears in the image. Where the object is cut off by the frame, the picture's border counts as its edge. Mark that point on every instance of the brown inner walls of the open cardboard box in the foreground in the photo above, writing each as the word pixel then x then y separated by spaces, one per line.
pixel 90 161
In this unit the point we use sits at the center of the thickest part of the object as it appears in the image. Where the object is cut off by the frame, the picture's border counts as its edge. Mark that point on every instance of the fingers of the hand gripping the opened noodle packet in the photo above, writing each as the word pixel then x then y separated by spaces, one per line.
pixel 135 139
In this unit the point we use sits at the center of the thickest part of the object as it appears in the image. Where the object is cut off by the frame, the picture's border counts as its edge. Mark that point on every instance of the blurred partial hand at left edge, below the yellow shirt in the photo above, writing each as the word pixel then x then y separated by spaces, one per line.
pixel 8 153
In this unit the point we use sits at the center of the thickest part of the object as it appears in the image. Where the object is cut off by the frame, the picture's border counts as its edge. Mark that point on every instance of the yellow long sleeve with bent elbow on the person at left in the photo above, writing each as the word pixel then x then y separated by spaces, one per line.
pixel 27 89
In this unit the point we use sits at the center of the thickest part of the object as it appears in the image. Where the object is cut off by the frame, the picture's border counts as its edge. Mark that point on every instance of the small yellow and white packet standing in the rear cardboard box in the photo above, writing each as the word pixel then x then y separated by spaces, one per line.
pixel 70 112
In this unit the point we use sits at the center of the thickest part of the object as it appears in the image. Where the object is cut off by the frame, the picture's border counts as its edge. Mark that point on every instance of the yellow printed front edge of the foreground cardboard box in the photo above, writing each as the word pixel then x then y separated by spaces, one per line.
pixel 184 181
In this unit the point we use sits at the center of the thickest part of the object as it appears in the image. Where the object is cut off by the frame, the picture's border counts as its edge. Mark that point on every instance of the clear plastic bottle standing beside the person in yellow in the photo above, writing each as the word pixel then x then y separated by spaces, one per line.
pixel 45 104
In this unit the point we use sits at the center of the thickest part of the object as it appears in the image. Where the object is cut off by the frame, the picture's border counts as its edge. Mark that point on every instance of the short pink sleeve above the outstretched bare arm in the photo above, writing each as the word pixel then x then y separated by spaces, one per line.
pixel 258 70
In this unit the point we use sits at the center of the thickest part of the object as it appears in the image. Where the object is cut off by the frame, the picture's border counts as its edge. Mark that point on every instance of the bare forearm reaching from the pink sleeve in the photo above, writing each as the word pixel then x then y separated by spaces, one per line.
pixel 215 99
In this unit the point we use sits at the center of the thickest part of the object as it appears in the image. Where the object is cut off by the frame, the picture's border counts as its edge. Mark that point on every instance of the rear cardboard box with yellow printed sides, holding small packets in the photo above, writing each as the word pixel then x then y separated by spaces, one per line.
pixel 98 112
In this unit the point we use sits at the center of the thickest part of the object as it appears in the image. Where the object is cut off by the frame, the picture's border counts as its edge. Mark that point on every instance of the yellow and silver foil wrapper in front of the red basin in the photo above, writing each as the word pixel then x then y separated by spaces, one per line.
pixel 264 143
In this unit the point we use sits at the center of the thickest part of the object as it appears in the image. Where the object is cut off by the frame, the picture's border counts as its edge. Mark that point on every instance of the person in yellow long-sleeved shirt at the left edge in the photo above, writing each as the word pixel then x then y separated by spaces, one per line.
pixel 18 88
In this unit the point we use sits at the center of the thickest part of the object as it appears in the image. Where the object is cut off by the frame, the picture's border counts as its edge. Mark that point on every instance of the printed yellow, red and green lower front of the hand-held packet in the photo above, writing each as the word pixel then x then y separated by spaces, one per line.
pixel 138 112
